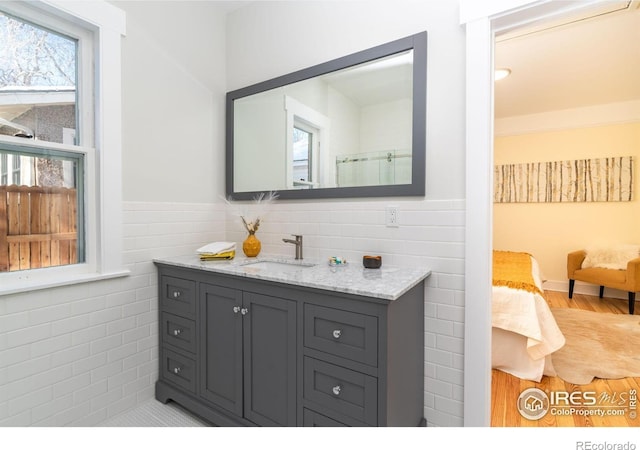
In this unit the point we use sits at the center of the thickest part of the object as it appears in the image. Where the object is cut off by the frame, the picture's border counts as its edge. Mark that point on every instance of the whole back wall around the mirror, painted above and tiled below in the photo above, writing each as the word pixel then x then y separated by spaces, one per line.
pixel 268 39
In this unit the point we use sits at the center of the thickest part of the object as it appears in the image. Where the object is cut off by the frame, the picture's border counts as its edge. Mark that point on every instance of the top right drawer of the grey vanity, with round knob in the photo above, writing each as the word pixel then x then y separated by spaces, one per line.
pixel 342 333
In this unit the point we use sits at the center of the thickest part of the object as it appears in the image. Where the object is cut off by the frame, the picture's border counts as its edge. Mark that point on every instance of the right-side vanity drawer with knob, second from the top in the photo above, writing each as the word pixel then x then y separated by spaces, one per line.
pixel 344 391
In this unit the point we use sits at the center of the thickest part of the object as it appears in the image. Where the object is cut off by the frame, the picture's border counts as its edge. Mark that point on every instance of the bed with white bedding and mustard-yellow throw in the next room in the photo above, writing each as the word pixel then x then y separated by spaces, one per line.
pixel 524 332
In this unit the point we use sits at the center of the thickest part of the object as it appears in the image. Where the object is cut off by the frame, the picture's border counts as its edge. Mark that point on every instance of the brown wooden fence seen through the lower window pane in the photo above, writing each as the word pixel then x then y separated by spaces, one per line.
pixel 38 227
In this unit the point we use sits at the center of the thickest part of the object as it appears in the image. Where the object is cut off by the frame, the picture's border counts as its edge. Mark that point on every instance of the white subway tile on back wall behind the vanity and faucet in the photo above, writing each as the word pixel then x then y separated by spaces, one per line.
pixel 431 233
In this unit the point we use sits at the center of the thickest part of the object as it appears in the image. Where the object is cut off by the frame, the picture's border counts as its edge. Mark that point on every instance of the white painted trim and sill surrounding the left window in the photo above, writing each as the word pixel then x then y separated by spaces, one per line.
pixel 104 186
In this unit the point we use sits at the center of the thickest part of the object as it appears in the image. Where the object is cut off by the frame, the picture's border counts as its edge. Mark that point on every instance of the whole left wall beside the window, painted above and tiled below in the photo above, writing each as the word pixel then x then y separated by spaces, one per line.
pixel 77 355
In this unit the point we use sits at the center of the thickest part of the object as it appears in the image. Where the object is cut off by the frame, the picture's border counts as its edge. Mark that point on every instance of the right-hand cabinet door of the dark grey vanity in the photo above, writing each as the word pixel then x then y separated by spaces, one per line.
pixel 269 330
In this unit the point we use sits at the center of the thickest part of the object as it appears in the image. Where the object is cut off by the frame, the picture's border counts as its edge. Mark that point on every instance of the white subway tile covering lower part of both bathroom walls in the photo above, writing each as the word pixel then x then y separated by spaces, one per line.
pixel 79 355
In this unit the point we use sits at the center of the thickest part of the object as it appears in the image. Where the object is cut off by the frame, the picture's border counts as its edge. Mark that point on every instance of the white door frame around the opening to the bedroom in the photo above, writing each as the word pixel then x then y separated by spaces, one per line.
pixel 482 20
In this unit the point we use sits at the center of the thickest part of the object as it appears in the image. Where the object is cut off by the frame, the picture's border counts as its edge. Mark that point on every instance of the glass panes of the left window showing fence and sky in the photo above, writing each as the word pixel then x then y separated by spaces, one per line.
pixel 42 200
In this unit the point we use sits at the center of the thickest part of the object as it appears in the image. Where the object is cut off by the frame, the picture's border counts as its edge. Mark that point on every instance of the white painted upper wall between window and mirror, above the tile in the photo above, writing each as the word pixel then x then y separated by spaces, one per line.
pixel 173 101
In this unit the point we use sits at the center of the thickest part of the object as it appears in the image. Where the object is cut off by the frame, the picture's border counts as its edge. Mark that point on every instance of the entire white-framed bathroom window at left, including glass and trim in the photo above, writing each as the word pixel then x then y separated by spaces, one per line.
pixel 58 223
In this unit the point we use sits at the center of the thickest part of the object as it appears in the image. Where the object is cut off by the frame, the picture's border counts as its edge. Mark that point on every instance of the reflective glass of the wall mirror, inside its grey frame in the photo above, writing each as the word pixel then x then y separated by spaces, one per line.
pixel 351 127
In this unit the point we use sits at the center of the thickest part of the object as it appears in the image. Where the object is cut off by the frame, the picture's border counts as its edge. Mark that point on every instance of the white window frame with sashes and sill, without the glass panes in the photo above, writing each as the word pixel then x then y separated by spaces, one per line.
pixel 99 27
